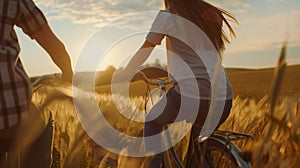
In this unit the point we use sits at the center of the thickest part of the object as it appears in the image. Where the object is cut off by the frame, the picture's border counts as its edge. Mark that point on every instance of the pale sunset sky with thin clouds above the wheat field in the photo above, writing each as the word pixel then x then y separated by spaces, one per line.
pixel 263 26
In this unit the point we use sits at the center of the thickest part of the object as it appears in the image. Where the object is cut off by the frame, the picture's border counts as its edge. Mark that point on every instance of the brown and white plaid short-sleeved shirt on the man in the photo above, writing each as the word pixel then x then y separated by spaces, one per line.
pixel 15 88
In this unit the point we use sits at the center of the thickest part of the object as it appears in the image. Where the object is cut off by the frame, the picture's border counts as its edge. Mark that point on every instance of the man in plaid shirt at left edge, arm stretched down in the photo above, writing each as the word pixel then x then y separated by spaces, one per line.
pixel 15 88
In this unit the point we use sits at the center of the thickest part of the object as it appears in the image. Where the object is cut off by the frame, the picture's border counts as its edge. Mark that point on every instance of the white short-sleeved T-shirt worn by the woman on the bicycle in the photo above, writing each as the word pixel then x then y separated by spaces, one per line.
pixel 191 57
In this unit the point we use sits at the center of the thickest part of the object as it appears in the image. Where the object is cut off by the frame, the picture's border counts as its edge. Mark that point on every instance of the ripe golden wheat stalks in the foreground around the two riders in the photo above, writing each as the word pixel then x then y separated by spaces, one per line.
pixel 276 144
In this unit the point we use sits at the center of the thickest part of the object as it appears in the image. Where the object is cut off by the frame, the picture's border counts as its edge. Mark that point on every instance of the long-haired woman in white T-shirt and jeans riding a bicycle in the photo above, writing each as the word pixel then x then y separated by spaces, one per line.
pixel 190 72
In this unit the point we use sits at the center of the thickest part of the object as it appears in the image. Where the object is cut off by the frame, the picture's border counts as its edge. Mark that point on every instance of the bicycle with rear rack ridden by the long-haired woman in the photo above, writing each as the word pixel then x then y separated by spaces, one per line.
pixel 215 150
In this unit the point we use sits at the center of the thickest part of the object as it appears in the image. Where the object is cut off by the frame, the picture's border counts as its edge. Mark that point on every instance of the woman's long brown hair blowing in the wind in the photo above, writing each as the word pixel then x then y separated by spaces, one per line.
pixel 207 17
